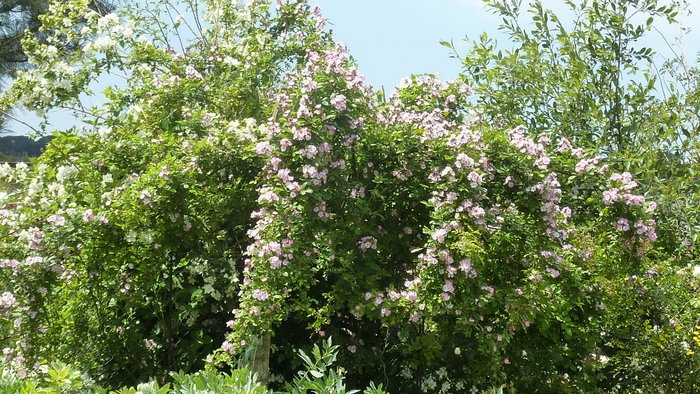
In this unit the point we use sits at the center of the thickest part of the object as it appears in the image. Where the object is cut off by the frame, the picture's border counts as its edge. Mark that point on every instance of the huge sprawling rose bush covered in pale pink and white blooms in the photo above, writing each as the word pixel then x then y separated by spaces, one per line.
pixel 245 193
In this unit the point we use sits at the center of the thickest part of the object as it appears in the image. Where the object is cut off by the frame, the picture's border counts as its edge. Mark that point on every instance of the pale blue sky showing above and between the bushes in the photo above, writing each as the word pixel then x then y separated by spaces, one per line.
pixel 391 39
